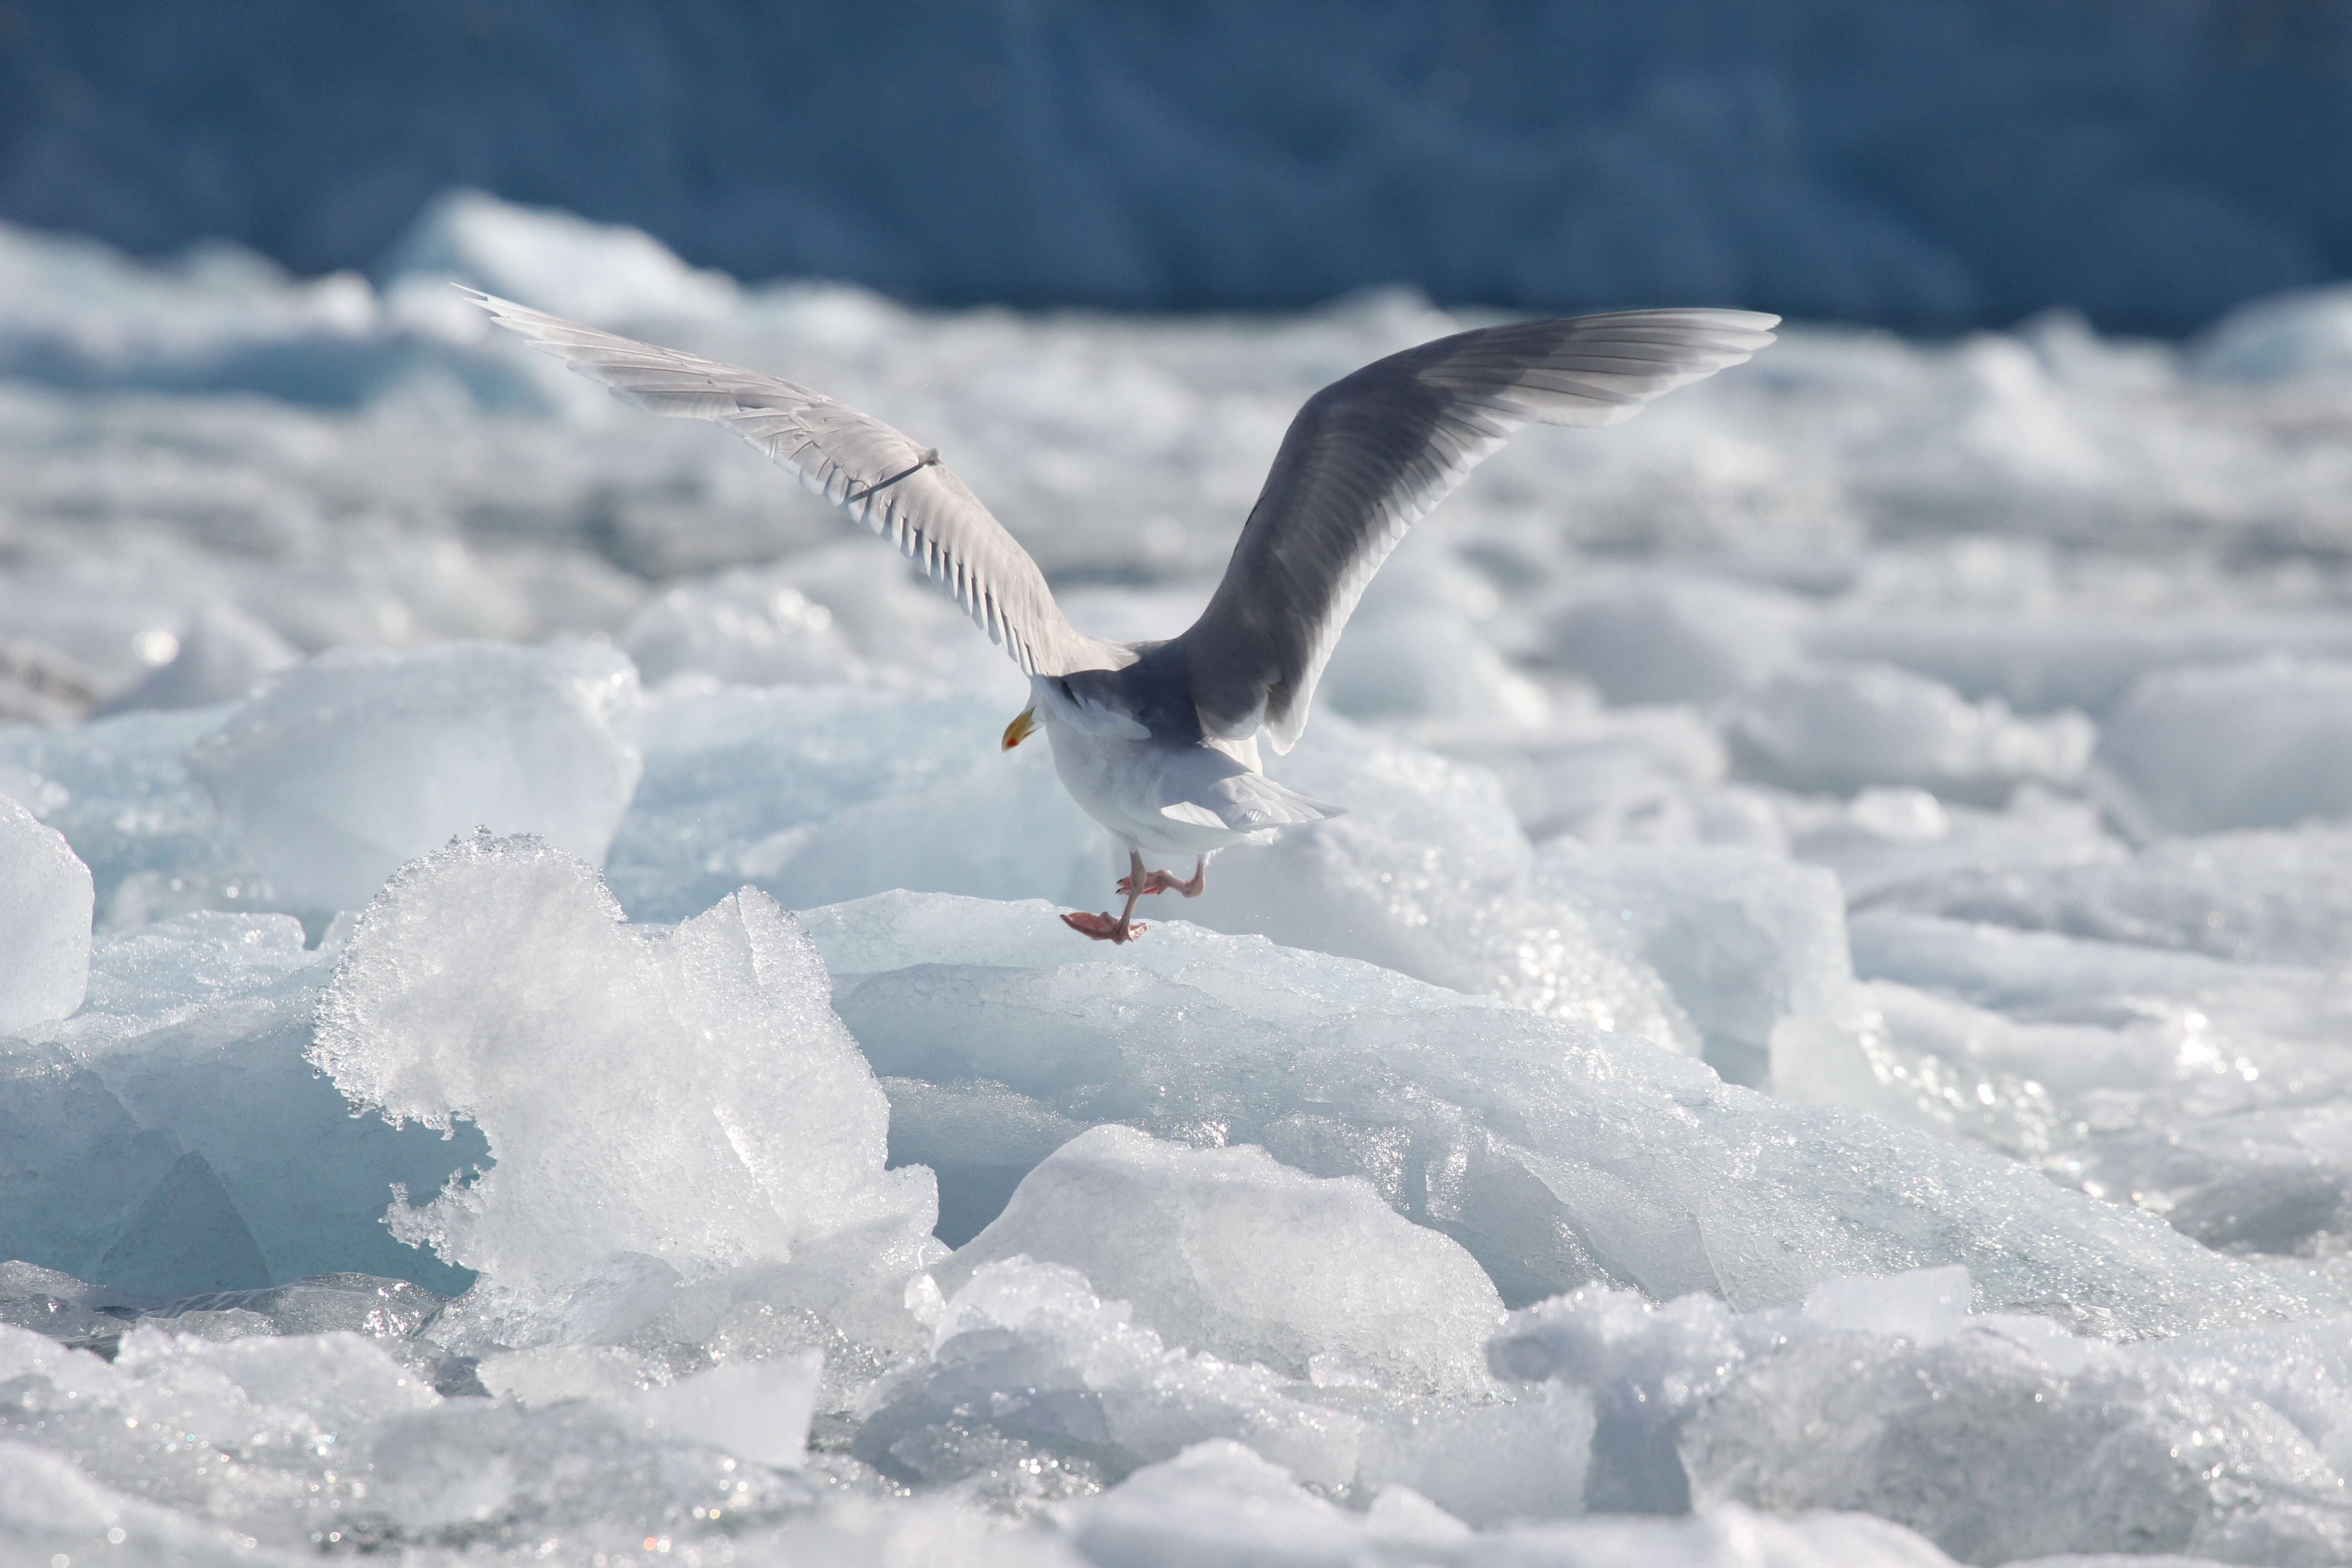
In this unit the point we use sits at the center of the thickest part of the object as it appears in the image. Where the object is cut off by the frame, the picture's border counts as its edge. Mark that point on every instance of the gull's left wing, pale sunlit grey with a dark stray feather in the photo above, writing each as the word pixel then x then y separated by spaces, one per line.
pixel 860 464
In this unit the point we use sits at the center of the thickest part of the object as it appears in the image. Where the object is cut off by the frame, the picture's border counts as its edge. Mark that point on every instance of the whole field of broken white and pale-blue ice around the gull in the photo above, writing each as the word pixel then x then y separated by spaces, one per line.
pixel 537 1024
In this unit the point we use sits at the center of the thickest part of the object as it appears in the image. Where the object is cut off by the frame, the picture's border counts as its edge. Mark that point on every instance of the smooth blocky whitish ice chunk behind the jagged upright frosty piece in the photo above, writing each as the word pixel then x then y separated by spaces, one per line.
pixel 359 760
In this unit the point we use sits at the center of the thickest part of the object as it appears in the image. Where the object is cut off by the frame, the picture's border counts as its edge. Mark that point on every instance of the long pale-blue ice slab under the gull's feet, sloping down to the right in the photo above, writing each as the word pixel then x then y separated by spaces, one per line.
pixel 1551 1151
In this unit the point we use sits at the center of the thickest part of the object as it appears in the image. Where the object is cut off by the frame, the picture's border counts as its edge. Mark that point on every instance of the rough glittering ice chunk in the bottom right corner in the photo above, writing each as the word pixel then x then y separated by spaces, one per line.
pixel 2033 1449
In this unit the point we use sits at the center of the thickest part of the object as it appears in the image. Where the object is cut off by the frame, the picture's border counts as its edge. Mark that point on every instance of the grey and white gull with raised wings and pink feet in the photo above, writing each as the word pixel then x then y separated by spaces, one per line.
pixel 1158 742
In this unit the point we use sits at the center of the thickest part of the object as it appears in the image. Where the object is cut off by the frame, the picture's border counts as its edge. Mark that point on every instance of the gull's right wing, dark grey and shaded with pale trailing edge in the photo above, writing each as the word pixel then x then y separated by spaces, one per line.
pixel 1377 450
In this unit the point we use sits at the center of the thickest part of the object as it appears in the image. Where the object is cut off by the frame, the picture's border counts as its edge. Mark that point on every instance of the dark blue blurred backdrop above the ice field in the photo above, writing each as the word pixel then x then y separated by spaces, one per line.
pixel 1913 163
